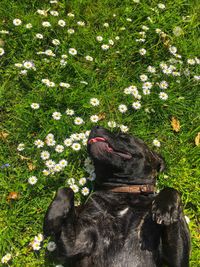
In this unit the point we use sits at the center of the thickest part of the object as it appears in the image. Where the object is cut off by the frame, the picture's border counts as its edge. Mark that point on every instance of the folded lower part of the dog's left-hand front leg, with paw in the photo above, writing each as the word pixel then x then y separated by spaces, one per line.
pixel 57 211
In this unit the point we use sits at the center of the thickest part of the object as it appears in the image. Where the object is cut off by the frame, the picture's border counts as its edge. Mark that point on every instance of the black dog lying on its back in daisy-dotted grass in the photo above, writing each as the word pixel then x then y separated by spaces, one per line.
pixel 124 223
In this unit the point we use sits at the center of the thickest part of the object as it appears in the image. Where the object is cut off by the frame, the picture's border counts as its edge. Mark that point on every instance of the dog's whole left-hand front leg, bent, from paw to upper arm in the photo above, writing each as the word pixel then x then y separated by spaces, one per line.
pixel 60 222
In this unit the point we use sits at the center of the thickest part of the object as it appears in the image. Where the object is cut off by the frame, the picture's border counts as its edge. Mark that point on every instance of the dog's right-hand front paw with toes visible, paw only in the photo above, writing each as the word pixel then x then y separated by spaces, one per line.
pixel 166 207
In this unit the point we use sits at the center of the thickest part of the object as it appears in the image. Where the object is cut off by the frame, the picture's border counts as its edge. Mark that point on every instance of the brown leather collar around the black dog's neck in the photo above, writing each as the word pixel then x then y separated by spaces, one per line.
pixel 134 189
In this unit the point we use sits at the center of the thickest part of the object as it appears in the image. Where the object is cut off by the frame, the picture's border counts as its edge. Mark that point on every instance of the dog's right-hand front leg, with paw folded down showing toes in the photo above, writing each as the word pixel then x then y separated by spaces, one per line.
pixel 167 211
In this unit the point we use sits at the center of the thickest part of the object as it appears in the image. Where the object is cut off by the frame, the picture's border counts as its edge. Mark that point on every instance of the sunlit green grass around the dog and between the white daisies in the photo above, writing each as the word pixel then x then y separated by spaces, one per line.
pixel 23 205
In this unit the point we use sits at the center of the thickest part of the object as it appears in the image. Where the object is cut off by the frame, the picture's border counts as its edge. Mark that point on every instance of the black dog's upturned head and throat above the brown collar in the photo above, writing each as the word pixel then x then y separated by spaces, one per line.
pixel 122 159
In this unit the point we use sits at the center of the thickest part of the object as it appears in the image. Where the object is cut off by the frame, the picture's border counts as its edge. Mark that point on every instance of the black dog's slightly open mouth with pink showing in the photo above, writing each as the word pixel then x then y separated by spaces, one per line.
pixel 101 144
